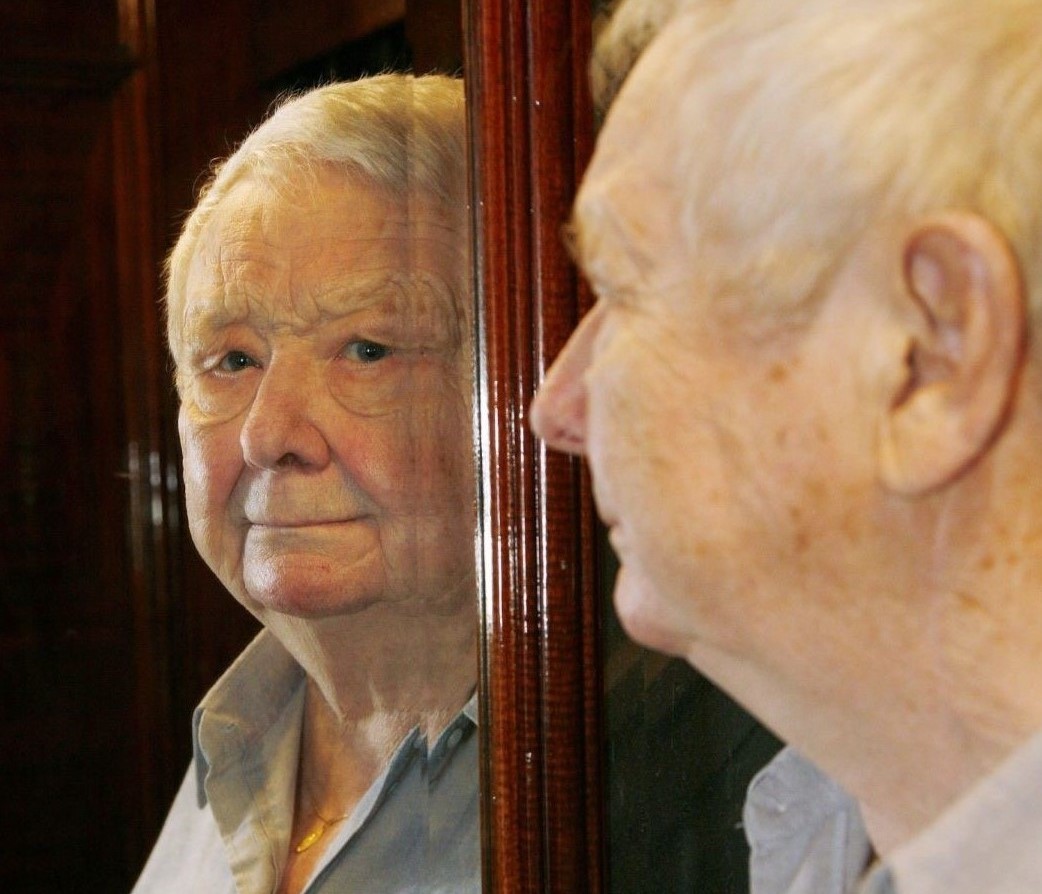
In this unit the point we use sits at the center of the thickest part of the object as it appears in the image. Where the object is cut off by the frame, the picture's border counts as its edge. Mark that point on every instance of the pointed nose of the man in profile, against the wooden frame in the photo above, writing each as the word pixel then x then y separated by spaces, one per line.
pixel 558 413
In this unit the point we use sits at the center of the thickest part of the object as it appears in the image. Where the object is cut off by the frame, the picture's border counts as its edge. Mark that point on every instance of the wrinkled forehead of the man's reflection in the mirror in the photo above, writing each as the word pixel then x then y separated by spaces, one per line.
pixel 318 249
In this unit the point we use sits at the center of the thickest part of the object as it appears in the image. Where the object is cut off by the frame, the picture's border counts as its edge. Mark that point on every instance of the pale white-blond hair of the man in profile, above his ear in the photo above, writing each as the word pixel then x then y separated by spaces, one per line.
pixel 805 121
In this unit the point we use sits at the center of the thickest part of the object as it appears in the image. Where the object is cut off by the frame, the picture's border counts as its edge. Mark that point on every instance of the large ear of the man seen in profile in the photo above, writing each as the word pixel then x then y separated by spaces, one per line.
pixel 964 287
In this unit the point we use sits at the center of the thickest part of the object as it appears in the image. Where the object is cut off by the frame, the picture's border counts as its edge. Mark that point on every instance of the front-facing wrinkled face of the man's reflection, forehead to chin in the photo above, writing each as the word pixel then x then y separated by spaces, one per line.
pixel 326 387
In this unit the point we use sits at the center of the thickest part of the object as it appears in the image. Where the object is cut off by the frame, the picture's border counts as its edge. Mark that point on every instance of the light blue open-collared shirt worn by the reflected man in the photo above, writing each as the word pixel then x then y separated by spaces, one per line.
pixel 415 832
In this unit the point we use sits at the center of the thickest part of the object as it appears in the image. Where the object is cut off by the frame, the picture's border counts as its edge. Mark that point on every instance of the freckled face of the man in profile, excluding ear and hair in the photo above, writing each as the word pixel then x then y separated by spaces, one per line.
pixel 720 452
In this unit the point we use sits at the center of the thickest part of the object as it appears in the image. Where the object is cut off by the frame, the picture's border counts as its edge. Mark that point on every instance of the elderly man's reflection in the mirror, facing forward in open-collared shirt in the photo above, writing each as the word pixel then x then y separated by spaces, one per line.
pixel 318 313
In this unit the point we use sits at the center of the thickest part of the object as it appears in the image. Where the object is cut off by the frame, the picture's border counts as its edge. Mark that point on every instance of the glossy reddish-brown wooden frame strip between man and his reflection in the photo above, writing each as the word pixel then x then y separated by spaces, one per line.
pixel 532 132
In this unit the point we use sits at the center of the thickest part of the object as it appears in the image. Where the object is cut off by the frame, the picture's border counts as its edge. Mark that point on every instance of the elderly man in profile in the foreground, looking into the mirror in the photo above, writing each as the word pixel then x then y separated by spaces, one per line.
pixel 811 399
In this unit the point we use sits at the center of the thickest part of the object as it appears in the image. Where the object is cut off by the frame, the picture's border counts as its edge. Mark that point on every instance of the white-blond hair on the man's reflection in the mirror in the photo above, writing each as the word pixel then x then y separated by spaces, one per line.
pixel 401 134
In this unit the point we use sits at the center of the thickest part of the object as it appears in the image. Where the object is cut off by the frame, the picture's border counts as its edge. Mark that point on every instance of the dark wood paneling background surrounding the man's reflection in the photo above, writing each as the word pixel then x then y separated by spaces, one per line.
pixel 113 629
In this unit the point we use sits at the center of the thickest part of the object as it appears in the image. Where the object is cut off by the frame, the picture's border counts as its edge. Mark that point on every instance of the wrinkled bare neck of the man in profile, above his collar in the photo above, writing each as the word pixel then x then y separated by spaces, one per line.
pixel 931 685
